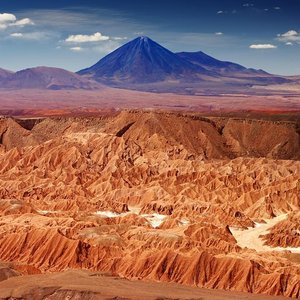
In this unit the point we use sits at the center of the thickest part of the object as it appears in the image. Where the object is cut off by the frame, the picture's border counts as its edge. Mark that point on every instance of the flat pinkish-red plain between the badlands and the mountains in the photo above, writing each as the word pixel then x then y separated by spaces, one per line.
pixel 35 102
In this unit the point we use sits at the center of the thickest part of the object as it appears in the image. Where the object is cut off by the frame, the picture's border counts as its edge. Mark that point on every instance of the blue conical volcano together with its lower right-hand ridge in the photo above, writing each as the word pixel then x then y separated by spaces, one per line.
pixel 143 64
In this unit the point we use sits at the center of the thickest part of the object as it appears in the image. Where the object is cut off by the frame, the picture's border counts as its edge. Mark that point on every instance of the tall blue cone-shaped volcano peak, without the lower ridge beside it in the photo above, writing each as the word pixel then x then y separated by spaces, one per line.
pixel 142 61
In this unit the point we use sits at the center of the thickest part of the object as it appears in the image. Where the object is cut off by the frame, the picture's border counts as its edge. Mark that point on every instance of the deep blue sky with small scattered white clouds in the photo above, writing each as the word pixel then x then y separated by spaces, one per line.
pixel 75 34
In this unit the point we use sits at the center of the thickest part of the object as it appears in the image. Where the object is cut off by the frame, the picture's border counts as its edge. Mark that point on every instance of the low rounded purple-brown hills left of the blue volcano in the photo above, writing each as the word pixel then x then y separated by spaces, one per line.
pixel 45 78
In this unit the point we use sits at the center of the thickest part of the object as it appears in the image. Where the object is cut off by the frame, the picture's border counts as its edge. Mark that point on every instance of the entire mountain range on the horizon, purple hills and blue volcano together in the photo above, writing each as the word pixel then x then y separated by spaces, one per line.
pixel 142 64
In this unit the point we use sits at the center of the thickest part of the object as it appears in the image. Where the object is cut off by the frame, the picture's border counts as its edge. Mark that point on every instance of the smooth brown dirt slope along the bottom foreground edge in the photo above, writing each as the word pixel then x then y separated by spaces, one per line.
pixel 86 285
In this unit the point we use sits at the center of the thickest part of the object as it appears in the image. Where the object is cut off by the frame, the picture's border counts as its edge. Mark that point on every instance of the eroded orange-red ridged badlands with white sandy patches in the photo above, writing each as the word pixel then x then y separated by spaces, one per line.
pixel 153 197
